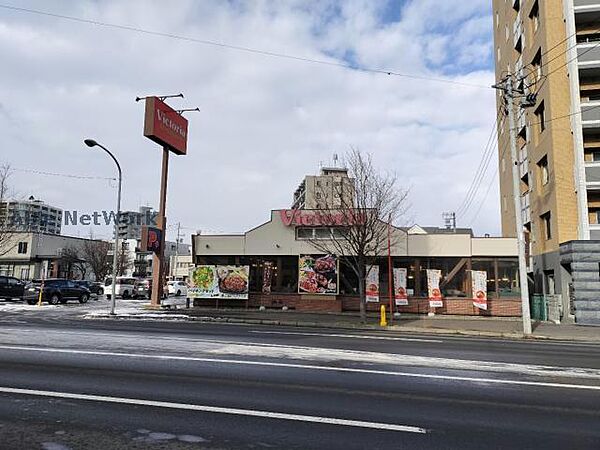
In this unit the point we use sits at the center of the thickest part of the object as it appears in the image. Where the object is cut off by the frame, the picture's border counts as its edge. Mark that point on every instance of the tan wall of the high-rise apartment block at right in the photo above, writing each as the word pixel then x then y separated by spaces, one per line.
pixel 553 142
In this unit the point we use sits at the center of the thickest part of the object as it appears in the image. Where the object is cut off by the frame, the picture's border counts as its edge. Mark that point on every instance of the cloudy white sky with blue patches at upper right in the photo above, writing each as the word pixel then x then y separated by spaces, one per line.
pixel 265 122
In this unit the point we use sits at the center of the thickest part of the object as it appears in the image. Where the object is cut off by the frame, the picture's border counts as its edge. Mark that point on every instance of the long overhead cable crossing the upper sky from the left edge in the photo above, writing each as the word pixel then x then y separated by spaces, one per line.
pixel 241 48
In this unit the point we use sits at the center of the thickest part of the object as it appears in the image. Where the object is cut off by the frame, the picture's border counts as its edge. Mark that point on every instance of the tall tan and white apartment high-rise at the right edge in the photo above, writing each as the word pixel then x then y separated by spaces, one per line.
pixel 552 49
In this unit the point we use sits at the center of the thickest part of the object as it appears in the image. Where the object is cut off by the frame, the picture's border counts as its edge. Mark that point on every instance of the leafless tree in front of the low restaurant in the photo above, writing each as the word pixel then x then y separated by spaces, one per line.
pixel 367 203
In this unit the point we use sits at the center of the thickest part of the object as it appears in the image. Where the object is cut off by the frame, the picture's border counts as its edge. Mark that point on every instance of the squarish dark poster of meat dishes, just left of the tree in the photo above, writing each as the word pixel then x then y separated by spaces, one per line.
pixel 318 275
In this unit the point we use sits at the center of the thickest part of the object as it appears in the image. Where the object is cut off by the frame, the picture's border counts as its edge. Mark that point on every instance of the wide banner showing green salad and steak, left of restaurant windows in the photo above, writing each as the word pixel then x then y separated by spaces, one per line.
pixel 219 282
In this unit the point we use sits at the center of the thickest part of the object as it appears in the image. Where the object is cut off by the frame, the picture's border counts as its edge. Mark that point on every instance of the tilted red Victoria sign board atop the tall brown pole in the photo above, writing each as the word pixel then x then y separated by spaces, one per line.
pixel 165 126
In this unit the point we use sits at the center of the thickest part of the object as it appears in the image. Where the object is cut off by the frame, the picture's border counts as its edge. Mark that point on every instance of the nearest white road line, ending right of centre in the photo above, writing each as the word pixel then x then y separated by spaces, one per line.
pixel 217 410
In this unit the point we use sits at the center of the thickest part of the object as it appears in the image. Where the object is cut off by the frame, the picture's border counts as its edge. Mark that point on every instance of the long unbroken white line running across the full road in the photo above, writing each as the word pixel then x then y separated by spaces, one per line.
pixel 307 367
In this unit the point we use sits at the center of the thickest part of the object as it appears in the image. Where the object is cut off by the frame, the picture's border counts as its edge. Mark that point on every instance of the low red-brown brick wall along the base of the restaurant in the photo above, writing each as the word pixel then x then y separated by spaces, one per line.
pixel 506 307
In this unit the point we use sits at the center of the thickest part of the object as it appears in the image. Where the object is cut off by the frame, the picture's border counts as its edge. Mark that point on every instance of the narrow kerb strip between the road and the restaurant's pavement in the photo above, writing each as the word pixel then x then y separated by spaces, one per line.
pixel 340 326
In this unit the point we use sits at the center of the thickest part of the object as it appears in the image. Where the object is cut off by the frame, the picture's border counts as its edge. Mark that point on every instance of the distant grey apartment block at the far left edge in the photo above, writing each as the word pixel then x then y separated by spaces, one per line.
pixel 32 215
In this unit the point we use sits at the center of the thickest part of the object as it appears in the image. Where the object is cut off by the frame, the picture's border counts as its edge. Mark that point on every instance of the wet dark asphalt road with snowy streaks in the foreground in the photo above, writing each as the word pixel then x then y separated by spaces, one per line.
pixel 66 383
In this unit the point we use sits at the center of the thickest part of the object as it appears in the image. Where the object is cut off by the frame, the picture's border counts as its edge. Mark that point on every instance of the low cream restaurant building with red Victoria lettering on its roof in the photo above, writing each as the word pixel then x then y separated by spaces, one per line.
pixel 283 243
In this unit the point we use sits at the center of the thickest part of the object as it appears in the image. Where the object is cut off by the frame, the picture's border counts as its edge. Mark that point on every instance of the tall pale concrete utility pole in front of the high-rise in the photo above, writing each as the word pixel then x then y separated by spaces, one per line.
pixel 507 89
